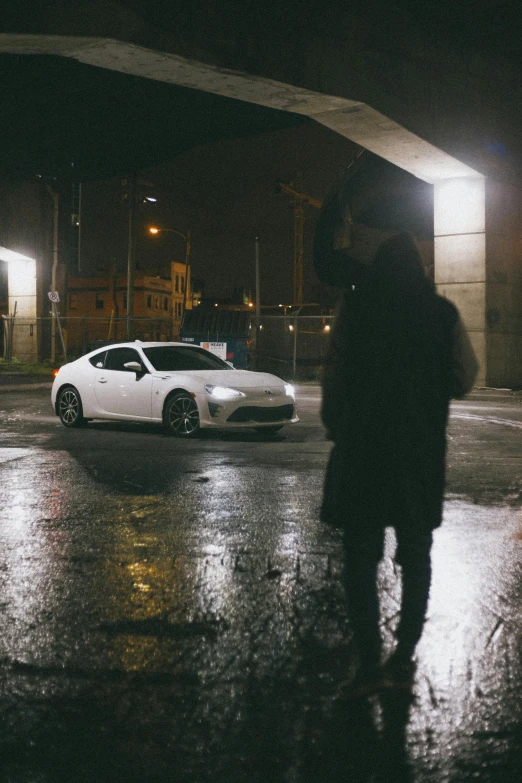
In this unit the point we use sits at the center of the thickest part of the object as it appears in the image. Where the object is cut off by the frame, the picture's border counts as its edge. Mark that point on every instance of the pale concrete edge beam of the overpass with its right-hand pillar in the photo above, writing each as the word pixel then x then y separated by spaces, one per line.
pixel 477 220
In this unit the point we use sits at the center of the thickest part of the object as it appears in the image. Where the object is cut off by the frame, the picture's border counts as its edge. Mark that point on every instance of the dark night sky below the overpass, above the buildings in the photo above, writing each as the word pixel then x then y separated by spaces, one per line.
pixel 226 194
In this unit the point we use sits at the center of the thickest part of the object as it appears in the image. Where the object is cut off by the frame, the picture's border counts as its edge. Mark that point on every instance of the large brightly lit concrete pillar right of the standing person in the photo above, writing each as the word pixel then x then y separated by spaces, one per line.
pixel 478 265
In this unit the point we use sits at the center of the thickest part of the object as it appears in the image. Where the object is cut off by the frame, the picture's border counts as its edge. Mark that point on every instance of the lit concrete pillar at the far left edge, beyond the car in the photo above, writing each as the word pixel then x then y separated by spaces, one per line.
pixel 22 286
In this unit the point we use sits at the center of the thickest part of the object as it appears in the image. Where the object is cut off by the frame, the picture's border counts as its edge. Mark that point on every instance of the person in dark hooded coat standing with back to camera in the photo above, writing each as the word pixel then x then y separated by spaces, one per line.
pixel 398 353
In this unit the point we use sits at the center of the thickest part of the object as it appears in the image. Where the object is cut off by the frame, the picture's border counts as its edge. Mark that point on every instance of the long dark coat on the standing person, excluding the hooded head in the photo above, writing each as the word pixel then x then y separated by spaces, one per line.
pixel 386 391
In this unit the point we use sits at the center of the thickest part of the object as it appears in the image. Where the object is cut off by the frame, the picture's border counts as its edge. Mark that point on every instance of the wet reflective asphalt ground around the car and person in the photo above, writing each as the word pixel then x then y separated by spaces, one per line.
pixel 172 611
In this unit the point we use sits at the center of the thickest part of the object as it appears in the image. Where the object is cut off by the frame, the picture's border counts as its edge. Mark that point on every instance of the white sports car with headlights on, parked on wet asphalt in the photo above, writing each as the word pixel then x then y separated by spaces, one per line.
pixel 182 386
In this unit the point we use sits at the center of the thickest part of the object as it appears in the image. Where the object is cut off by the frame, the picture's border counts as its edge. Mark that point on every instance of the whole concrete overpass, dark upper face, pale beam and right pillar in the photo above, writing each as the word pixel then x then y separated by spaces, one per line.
pixel 414 89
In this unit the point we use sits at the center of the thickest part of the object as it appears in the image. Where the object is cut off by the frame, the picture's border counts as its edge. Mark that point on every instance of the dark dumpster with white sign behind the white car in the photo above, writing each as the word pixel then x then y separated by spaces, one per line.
pixel 226 333
